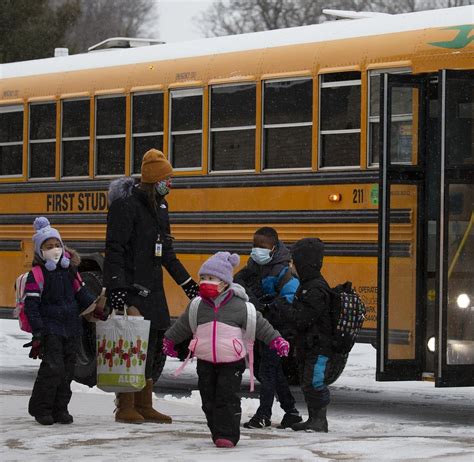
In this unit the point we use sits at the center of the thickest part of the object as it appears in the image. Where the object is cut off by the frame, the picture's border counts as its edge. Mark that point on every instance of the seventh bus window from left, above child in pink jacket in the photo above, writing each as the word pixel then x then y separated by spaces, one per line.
pixel 233 119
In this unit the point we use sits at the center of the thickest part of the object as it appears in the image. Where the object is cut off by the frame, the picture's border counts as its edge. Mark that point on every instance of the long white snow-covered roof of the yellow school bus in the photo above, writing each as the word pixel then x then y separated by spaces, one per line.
pixel 328 31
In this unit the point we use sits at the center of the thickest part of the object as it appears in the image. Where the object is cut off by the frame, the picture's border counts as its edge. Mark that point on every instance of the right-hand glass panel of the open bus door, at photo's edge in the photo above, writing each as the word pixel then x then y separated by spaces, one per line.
pixel 454 334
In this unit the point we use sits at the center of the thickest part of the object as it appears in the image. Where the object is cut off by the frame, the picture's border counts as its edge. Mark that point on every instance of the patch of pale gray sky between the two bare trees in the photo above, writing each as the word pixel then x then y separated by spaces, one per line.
pixel 176 19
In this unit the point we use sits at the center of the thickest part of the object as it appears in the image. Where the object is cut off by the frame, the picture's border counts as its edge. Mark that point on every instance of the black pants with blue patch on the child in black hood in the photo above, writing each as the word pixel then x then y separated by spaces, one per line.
pixel 315 391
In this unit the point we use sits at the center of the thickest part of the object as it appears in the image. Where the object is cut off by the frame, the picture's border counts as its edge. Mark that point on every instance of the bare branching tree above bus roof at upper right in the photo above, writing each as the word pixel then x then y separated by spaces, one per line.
pixel 228 17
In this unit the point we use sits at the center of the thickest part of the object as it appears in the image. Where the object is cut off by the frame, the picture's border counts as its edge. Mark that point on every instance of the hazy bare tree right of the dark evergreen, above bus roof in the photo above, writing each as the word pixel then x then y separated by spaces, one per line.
pixel 101 19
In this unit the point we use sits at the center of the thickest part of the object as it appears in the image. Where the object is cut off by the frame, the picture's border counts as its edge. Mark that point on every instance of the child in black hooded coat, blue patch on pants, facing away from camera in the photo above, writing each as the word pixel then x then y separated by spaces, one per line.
pixel 312 319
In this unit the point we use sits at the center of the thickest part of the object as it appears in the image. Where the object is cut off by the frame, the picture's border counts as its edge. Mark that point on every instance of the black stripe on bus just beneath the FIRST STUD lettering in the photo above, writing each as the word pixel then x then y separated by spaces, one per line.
pixel 230 217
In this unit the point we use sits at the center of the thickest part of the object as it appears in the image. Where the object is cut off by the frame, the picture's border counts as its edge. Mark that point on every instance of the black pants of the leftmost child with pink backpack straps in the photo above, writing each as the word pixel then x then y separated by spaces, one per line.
pixel 52 389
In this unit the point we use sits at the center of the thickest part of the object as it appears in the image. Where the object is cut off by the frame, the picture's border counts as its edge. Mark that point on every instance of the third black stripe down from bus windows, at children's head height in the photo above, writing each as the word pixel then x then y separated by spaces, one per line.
pixel 342 249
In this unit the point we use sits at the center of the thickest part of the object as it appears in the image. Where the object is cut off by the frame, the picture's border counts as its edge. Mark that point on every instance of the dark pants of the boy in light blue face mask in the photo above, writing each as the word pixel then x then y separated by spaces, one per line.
pixel 272 380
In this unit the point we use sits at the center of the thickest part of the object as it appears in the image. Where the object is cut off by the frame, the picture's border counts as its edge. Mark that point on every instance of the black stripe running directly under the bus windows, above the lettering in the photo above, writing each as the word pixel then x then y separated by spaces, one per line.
pixel 205 181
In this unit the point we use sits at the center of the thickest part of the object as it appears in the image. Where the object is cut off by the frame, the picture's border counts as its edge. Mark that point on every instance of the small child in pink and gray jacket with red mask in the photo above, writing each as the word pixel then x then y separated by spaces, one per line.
pixel 219 345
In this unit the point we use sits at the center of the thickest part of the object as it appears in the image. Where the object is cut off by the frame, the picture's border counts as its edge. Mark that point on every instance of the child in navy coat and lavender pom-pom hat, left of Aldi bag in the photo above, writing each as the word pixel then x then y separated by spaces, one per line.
pixel 53 309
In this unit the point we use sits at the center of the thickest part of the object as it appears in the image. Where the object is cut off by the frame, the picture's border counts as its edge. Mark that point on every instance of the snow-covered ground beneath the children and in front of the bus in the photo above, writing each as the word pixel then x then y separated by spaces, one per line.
pixel 368 420
